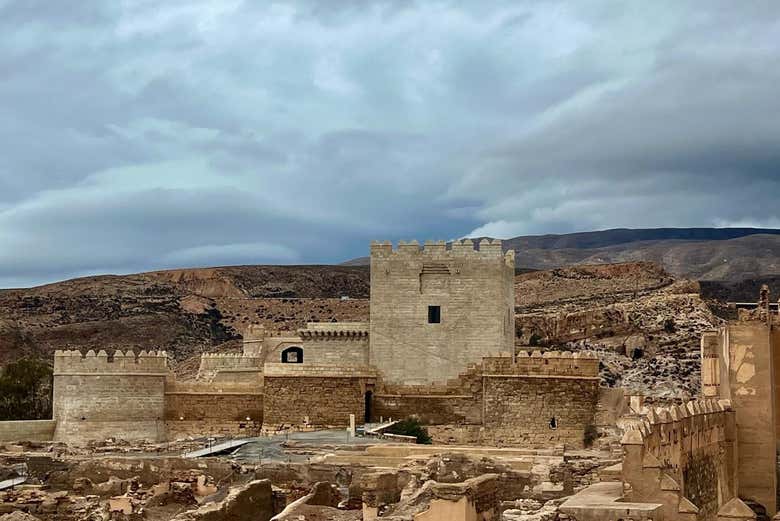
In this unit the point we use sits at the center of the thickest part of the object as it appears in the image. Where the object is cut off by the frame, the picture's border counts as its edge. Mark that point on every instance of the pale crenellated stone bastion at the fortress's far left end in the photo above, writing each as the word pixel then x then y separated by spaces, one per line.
pixel 97 397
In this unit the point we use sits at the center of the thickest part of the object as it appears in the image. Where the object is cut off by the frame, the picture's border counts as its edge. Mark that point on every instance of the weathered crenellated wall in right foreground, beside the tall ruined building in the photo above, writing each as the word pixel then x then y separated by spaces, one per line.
pixel 684 457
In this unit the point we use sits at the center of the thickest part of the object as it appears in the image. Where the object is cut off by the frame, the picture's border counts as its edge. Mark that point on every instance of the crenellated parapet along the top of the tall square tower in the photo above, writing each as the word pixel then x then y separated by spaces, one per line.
pixel 486 248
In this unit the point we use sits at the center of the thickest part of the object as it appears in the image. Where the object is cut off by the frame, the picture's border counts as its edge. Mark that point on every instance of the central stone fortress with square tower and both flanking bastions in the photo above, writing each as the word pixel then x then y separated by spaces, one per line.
pixel 439 345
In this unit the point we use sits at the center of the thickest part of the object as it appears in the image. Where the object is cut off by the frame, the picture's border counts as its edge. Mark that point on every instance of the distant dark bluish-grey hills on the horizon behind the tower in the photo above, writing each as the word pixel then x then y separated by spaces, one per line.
pixel 712 254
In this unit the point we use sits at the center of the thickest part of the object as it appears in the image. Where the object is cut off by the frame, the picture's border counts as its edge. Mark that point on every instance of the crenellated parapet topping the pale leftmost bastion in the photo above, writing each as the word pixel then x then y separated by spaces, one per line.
pixel 145 362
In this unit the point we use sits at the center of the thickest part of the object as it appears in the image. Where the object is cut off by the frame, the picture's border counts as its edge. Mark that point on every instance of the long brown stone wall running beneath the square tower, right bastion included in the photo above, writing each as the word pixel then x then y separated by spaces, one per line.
pixel 536 400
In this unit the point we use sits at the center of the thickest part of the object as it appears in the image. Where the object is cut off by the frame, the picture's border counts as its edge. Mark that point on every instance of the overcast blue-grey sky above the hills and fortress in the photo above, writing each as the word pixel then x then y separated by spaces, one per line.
pixel 142 135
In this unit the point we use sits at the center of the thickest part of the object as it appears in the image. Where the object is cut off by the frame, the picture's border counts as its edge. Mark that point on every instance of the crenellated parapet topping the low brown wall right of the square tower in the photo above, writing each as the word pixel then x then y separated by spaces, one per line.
pixel 549 363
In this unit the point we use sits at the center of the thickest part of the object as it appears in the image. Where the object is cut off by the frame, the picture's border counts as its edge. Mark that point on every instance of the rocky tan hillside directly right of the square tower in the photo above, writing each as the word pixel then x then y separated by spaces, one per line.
pixel 644 324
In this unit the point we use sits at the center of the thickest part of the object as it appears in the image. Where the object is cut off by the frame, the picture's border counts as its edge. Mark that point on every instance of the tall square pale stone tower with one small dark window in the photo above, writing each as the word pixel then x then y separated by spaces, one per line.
pixel 434 311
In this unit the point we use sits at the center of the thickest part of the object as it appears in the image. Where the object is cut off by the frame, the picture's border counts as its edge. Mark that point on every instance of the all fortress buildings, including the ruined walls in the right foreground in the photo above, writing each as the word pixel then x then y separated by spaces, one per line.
pixel 440 346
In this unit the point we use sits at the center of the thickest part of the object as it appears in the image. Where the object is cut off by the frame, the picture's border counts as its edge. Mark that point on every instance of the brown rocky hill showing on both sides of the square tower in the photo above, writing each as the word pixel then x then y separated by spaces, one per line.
pixel 645 323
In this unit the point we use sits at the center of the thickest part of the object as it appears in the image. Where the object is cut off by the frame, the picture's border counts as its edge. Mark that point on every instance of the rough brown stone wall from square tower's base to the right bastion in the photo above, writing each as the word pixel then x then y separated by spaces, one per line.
pixel 513 402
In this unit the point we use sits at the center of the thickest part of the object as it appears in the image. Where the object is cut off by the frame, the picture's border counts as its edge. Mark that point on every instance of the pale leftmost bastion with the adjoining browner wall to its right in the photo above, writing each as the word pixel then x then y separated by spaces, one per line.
pixel 135 397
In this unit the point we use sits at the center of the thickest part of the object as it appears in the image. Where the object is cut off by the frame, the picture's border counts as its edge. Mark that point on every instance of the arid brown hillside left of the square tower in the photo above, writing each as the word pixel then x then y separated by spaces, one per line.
pixel 185 312
